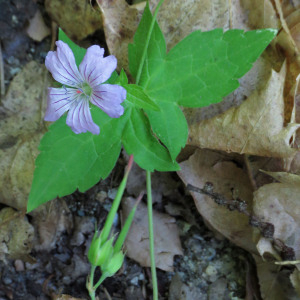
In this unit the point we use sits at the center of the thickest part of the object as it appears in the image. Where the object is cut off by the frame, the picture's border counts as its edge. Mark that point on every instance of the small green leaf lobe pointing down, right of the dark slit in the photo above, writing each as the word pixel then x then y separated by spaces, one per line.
pixel 170 126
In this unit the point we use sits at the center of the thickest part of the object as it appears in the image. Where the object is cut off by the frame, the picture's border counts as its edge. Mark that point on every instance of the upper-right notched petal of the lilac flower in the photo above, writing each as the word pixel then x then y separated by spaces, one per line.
pixel 94 68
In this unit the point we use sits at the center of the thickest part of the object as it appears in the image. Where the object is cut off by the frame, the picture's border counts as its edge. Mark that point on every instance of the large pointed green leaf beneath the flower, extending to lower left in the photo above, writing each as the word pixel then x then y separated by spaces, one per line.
pixel 69 161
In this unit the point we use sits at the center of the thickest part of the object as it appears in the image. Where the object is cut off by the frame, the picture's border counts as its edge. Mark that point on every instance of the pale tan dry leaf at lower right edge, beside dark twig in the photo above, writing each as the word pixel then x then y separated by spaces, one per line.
pixel 278 204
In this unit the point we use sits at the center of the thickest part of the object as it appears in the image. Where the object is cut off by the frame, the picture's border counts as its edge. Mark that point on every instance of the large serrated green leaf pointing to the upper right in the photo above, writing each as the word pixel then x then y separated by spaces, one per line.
pixel 205 66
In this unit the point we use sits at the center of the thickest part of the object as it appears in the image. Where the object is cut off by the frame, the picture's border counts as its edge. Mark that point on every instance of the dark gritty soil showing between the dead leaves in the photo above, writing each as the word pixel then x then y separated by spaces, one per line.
pixel 210 268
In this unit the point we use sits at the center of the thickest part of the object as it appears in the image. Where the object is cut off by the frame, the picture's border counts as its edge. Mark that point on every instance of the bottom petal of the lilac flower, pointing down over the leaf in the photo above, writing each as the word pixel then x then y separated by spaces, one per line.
pixel 80 119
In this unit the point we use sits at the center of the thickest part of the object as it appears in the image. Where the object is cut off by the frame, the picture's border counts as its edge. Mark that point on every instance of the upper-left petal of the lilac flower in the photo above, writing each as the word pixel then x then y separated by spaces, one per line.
pixel 62 65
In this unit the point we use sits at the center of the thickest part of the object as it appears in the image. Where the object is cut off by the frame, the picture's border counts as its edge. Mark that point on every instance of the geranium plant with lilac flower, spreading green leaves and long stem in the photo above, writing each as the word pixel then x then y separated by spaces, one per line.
pixel 106 113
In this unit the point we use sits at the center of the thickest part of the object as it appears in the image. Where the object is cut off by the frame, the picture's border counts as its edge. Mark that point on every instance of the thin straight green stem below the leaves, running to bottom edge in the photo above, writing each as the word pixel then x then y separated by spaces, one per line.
pixel 151 236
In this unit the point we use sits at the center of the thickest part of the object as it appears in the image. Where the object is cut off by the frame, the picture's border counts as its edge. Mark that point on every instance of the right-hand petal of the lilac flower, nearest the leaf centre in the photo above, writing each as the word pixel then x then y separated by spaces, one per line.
pixel 109 98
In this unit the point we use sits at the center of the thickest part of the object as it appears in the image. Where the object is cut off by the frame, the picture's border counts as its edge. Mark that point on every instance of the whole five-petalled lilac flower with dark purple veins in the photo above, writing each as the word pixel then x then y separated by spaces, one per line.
pixel 84 86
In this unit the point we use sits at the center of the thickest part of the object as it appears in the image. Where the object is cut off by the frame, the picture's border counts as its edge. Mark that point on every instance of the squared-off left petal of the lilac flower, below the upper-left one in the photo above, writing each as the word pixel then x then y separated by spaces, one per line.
pixel 58 102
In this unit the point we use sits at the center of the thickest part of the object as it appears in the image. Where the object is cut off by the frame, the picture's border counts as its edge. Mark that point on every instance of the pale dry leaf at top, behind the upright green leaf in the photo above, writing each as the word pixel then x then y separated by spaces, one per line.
pixel 176 18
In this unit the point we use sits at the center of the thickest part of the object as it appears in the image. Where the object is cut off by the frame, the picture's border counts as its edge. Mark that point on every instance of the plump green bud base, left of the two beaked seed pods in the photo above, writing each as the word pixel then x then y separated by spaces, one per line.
pixel 100 252
